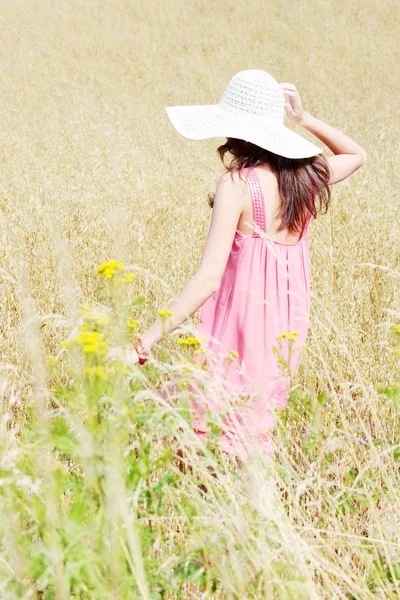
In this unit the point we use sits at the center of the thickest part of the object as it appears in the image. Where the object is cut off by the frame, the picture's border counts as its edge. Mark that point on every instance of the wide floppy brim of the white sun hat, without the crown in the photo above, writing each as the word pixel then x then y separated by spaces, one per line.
pixel 201 122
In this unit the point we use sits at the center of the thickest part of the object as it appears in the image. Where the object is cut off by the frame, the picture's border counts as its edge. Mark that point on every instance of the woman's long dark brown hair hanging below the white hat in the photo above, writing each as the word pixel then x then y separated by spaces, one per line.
pixel 300 180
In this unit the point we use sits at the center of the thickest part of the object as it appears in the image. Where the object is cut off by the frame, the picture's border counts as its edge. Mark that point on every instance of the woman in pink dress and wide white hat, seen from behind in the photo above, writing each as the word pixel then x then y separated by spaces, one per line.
pixel 253 281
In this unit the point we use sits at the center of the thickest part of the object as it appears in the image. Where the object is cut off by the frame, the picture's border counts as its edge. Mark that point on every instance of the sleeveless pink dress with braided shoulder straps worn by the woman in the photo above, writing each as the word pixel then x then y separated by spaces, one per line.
pixel 264 292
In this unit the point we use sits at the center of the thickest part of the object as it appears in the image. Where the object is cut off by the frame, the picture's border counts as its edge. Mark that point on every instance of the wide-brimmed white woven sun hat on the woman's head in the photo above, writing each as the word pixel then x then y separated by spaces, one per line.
pixel 252 108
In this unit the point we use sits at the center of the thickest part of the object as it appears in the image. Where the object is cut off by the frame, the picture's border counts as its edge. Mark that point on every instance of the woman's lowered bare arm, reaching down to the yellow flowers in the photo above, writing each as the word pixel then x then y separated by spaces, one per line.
pixel 228 206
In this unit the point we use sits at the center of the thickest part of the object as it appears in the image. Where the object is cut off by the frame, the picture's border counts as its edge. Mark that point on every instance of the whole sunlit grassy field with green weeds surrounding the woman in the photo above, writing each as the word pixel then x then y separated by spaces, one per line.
pixel 93 504
